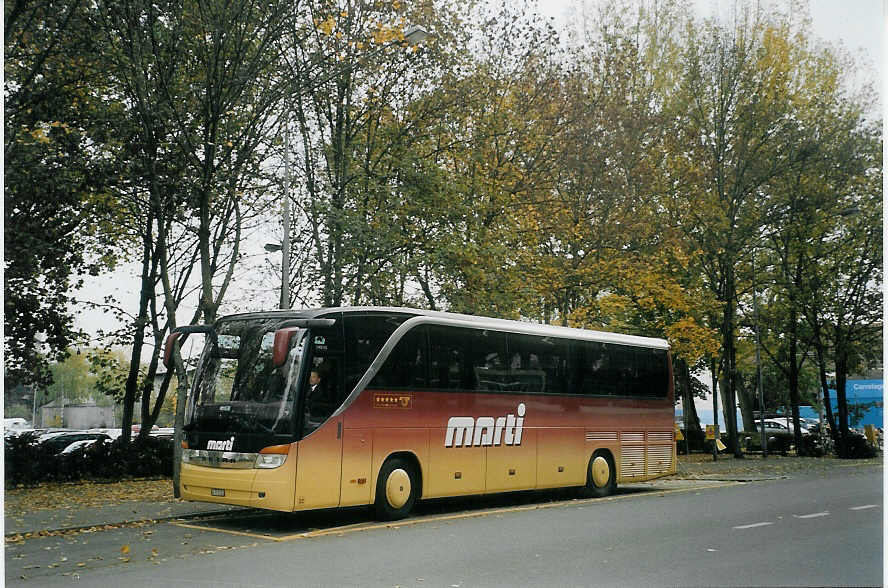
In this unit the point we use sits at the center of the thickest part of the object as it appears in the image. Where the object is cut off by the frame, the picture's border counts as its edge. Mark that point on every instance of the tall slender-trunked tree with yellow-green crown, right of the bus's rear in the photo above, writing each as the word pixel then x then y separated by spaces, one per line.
pixel 735 116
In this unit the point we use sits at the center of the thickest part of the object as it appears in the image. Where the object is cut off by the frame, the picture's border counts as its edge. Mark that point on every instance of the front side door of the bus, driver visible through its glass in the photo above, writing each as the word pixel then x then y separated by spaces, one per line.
pixel 320 450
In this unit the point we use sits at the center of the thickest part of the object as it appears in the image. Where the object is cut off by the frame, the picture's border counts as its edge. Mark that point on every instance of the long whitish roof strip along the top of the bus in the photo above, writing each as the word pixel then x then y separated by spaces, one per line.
pixel 465 320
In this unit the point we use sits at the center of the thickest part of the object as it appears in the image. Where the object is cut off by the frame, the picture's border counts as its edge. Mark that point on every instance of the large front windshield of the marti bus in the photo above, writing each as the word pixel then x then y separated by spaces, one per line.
pixel 239 389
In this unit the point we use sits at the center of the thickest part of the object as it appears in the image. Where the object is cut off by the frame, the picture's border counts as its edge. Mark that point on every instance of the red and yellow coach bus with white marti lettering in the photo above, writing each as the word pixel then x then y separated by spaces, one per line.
pixel 296 410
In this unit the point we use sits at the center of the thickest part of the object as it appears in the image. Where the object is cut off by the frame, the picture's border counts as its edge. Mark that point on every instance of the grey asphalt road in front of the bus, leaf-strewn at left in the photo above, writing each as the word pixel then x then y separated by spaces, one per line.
pixel 811 530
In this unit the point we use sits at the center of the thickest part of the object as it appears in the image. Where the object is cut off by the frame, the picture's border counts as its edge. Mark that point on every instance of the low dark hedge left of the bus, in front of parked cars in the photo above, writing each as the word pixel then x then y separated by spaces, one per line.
pixel 28 463
